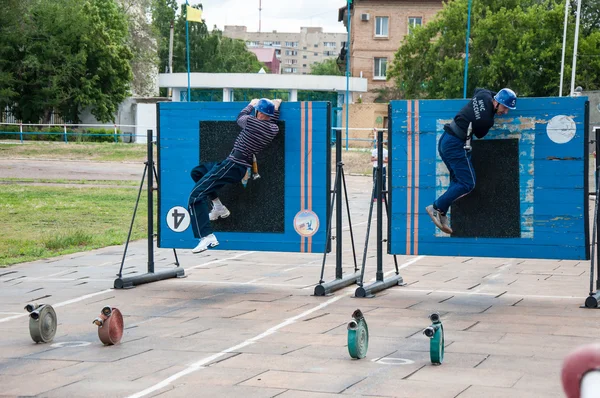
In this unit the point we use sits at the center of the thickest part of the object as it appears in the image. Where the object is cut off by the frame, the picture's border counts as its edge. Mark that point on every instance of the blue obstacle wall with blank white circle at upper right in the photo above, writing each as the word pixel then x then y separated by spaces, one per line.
pixel 552 178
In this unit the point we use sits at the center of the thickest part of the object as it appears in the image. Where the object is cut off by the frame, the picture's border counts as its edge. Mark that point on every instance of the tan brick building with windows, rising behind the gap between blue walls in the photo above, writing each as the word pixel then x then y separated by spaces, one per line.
pixel 377 29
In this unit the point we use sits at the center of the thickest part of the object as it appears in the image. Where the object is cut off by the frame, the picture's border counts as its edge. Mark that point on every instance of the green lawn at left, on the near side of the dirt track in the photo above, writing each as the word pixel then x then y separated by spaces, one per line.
pixel 42 222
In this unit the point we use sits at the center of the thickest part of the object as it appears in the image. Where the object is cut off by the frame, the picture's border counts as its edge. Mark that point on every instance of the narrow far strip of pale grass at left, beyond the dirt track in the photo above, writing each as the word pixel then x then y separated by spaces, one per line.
pixel 101 151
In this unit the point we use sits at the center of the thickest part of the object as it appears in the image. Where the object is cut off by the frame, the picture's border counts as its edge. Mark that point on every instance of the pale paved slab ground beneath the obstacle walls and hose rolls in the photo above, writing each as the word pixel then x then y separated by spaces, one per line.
pixel 245 324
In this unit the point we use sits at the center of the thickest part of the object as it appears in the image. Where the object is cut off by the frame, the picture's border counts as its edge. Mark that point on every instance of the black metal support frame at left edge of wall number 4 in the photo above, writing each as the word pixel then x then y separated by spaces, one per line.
pixel 150 276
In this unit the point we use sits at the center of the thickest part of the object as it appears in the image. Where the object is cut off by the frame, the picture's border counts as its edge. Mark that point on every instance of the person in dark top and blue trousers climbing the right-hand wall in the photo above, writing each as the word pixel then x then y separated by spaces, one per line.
pixel 455 149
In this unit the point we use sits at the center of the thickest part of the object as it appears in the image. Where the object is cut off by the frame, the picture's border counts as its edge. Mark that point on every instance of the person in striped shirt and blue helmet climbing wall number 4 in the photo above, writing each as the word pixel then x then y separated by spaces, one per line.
pixel 257 132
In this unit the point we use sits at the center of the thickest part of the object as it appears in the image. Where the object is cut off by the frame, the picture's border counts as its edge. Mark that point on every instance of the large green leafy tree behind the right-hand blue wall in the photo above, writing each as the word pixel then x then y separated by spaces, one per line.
pixel 514 43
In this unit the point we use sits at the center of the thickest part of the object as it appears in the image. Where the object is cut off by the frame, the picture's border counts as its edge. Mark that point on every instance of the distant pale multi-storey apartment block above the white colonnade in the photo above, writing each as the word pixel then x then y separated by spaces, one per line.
pixel 296 51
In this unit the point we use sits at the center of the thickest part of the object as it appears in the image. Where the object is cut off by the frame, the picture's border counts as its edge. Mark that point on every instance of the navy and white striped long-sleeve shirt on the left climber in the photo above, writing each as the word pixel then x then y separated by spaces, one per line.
pixel 255 136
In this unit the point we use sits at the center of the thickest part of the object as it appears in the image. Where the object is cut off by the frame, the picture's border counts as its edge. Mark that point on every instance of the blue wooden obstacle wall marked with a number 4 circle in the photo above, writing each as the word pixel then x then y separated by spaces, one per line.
pixel 306 179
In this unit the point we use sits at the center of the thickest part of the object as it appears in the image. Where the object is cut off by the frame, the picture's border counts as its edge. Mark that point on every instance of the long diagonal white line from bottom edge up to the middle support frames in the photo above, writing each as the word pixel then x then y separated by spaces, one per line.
pixel 200 364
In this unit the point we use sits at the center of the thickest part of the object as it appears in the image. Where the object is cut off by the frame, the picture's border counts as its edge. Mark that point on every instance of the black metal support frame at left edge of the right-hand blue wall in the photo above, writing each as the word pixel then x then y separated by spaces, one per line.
pixel 380 282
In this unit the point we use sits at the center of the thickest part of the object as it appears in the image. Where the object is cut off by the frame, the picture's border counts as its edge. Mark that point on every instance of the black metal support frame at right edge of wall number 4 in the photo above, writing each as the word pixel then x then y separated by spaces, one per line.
pixel 340 281
